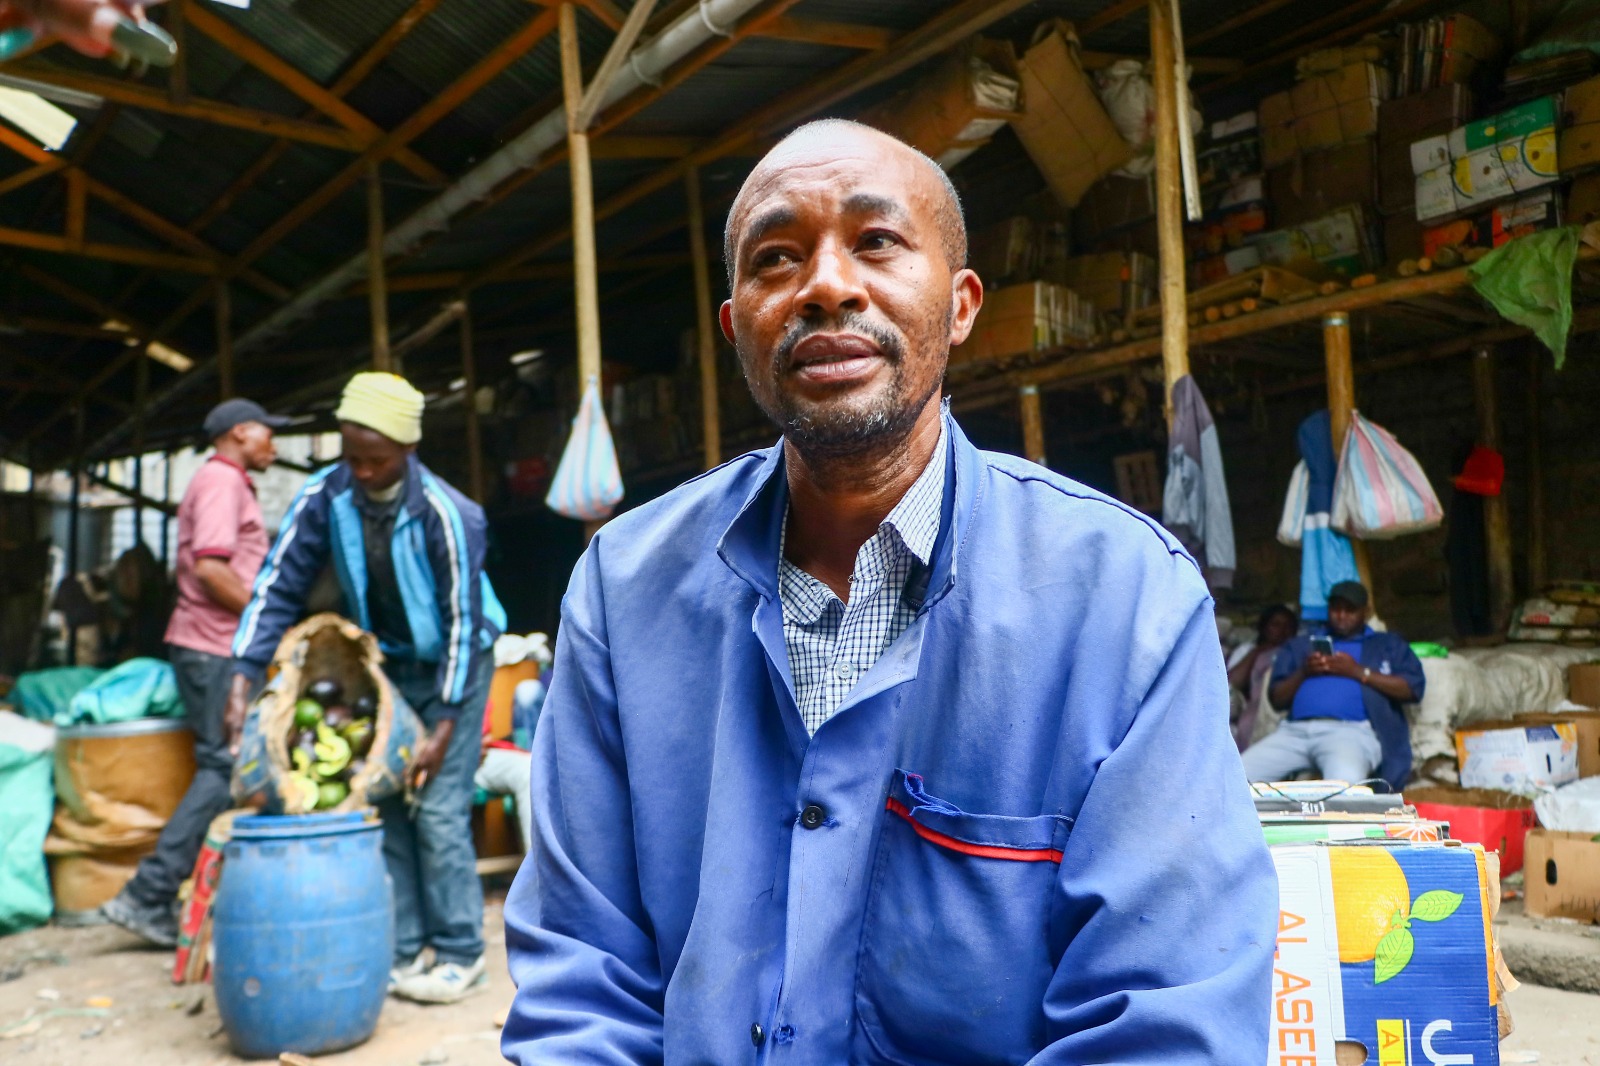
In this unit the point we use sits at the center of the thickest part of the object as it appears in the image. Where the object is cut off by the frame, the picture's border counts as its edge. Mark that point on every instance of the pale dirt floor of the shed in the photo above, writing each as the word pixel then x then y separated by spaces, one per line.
pixel 50 974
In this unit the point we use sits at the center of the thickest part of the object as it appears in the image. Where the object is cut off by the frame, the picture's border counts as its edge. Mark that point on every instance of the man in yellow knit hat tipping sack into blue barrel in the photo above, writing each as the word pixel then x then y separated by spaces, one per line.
pixel 409 553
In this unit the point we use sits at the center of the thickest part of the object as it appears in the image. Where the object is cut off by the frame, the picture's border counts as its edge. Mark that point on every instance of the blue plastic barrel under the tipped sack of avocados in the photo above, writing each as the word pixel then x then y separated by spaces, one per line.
pixel 303 934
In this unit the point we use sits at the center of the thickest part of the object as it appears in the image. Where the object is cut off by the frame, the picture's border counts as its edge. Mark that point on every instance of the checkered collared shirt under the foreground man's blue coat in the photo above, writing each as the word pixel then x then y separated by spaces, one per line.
pixel 833 644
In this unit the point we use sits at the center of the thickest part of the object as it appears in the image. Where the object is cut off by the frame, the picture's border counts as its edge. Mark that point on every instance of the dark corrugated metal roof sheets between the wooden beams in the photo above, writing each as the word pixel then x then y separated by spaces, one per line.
pixel 177 167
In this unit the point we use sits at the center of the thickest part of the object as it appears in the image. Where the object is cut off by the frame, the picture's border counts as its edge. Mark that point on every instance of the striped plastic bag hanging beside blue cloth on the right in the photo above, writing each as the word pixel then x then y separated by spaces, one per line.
pixel 1382 491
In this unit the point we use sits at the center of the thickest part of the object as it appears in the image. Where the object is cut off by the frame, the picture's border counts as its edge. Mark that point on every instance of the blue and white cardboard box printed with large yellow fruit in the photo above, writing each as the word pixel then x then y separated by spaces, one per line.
pixel 1385 956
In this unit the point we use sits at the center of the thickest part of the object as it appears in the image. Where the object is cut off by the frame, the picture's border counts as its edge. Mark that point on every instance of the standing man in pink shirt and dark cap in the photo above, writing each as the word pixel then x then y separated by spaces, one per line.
pixel 222 542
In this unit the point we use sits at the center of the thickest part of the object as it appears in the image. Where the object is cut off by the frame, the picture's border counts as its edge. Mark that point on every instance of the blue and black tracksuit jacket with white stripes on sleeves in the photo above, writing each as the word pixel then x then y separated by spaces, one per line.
pixel 438 550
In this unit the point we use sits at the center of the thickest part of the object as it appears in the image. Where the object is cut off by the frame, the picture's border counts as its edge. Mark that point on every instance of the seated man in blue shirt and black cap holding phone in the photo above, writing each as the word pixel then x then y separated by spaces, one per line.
pixel 1345 691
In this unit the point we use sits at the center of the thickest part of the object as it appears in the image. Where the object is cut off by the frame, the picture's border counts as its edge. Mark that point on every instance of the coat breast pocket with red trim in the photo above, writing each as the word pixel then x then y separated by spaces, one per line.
pixel 956 956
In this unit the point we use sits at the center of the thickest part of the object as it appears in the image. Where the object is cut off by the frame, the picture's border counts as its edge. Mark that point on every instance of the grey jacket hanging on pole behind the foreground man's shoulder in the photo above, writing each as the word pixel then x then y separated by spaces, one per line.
pixel 1194 505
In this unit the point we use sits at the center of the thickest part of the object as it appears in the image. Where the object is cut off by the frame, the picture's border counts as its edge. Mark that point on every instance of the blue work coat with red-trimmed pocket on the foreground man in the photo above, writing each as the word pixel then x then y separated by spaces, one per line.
pixel 1025 836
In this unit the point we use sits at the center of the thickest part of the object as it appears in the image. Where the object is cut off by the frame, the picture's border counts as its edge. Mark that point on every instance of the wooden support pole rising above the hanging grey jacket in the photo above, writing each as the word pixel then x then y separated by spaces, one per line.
pixel 1169 201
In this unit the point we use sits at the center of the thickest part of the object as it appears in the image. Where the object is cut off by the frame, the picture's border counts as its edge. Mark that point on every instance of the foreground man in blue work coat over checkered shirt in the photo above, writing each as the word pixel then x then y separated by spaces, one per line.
pixel 873 747
